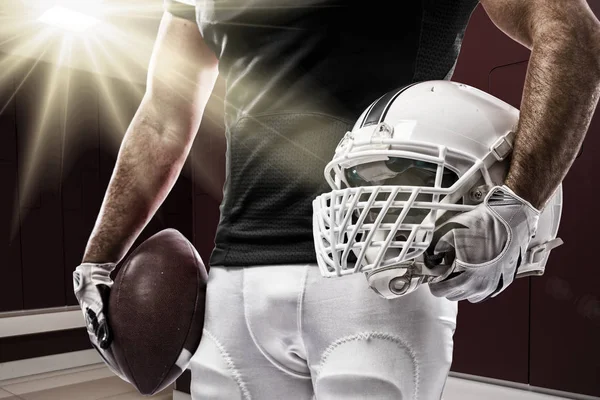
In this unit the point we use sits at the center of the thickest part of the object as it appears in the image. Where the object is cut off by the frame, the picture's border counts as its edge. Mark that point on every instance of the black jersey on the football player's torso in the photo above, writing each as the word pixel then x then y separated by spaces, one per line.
pixel 298 74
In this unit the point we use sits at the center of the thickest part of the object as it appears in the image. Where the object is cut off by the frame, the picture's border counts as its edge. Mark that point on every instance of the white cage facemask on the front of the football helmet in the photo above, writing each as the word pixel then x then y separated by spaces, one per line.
pixel 386 203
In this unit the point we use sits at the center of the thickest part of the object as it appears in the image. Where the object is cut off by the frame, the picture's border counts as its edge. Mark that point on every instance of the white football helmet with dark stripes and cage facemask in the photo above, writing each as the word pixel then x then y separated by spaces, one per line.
pixel 416 157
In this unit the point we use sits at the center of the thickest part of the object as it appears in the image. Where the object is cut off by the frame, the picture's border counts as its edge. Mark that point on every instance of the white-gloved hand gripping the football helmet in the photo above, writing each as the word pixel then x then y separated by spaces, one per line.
pixel 488 244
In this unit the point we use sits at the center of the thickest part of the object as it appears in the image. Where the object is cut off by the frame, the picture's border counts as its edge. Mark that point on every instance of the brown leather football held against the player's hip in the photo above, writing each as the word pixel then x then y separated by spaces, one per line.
pixel 156 310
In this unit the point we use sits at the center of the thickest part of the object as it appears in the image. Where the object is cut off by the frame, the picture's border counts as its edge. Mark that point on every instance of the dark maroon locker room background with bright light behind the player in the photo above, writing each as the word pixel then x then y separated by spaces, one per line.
pixel 72 74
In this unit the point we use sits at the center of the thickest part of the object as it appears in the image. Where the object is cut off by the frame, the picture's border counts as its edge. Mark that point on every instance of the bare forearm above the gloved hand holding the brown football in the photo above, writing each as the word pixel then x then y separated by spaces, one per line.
pixel 147 167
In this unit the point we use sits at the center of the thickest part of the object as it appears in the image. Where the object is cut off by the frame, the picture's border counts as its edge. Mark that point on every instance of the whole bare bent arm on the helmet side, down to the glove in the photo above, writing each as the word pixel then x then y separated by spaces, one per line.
pixel 561 89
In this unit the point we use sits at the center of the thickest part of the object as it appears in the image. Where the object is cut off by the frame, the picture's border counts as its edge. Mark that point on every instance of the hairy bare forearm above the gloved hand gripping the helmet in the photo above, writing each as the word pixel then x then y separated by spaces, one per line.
pixel 560 95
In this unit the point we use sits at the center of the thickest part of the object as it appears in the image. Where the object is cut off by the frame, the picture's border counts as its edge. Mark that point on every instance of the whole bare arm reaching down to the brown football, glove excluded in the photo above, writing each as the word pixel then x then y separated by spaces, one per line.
pixel 181 77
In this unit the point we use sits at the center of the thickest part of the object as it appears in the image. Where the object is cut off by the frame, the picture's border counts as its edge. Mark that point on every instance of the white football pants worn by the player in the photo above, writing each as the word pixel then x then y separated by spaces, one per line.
pixel 286 333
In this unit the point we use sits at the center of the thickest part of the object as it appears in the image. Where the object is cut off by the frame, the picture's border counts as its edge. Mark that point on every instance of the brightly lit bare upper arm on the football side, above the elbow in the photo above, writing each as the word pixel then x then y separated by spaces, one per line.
pixel 182 70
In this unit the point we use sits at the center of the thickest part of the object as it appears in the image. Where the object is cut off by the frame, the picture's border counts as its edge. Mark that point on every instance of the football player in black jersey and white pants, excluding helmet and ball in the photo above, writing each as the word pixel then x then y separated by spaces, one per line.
pixel 298 75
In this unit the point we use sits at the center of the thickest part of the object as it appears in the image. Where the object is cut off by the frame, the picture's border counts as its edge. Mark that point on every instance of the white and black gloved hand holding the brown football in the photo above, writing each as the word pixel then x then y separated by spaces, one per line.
pixel 92 284
